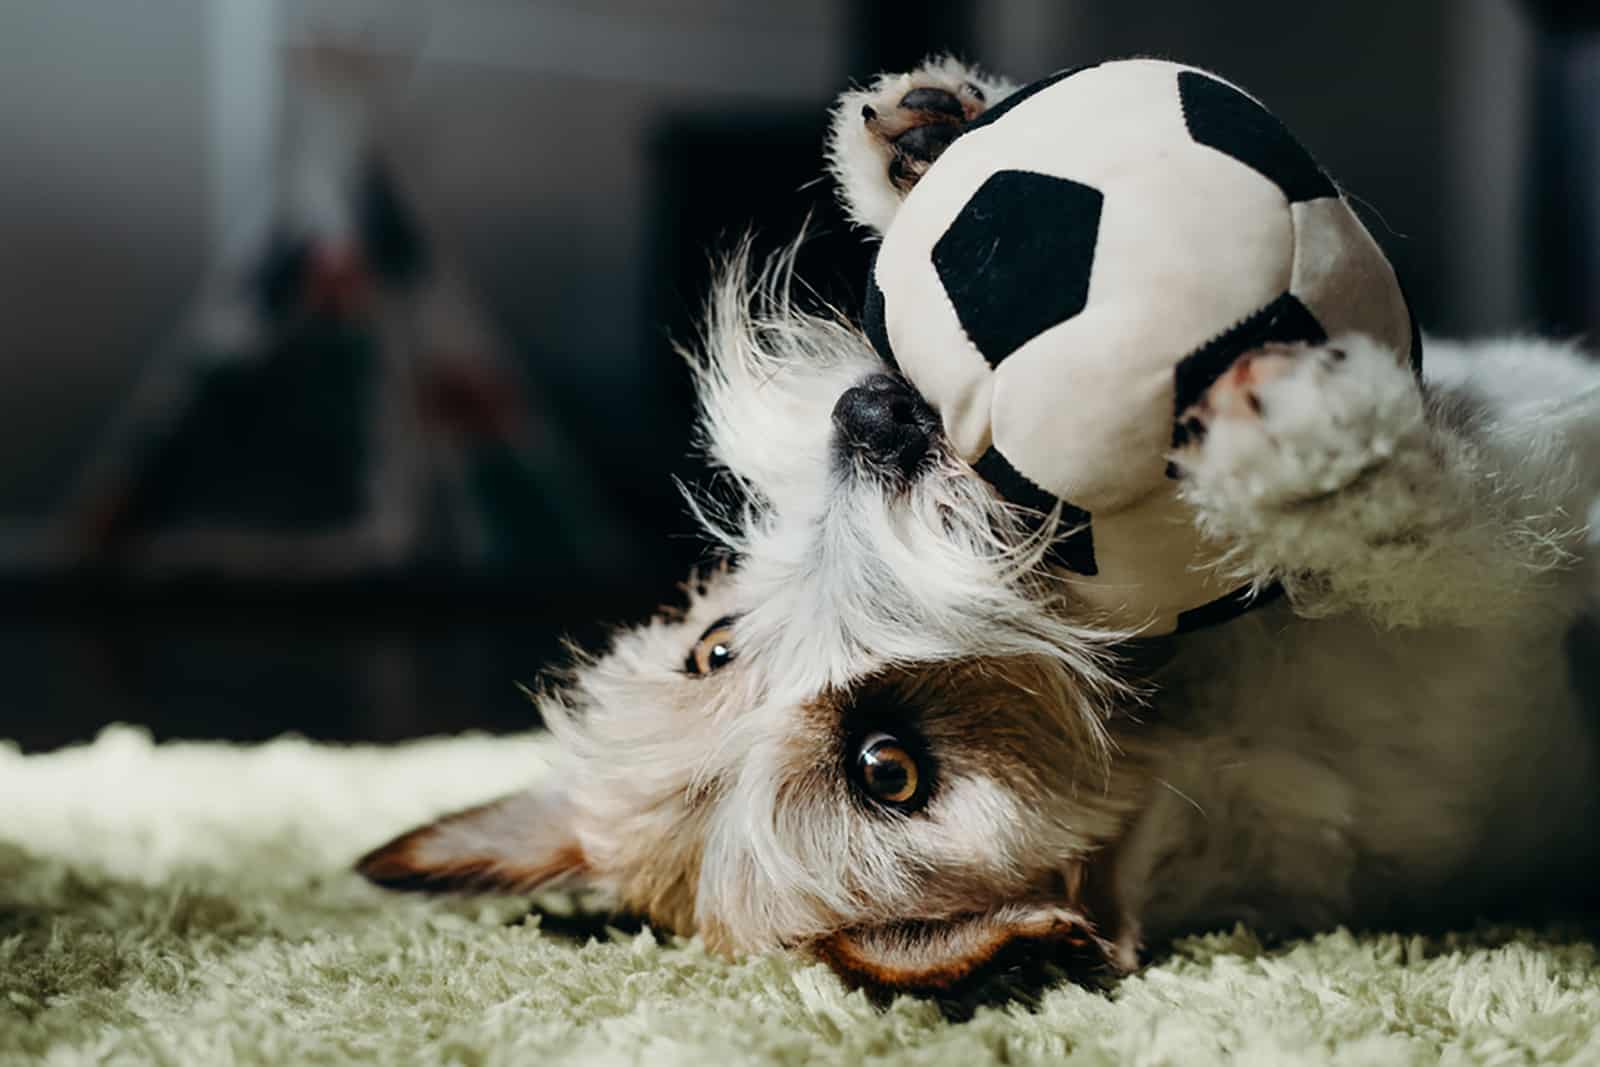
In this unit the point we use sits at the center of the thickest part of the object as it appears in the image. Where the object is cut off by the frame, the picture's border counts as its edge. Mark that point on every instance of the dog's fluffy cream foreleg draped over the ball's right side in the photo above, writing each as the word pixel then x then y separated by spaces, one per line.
pixel 1330 470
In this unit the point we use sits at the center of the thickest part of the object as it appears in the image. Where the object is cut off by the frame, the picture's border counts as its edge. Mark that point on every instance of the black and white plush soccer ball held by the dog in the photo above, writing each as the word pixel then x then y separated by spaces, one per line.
pixel 1081 266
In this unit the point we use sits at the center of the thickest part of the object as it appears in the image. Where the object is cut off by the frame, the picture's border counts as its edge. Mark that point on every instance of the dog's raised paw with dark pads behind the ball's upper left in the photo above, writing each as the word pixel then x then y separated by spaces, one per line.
pixel 886 137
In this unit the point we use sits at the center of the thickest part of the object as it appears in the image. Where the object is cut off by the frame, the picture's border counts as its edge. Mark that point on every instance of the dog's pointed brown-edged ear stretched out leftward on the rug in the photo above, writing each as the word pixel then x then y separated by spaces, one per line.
pixel 511 845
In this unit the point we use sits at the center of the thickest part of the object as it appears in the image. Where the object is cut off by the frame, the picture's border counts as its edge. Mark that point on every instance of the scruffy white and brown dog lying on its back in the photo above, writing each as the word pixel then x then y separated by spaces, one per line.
pixel 889 737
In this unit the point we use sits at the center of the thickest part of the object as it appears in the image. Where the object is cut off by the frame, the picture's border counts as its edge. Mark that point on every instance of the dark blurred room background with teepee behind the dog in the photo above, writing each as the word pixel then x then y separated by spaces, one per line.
pixel 337 374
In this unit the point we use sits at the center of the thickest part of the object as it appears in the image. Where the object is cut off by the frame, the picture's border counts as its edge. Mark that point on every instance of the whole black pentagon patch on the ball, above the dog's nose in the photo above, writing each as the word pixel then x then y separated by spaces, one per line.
pixel 1018 258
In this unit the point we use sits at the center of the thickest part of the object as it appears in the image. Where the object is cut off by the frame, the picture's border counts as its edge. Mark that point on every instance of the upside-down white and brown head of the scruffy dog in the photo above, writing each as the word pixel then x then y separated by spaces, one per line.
pixel 878 737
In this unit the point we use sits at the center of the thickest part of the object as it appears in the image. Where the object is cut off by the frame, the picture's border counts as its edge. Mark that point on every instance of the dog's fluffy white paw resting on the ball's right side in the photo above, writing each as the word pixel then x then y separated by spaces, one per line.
pixel 1292 425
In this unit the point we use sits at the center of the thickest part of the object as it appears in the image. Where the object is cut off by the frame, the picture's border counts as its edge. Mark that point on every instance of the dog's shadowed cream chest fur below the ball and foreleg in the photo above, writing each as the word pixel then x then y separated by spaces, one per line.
pixel 1321 772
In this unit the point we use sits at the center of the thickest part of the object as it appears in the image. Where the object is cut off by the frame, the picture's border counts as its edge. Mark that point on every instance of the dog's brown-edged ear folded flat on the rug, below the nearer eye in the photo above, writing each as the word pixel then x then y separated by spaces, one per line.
pixel 954 957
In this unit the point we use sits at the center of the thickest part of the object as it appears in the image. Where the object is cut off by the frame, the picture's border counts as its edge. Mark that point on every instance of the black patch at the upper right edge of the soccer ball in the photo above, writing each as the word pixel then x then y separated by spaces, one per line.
pixel 1222 118
